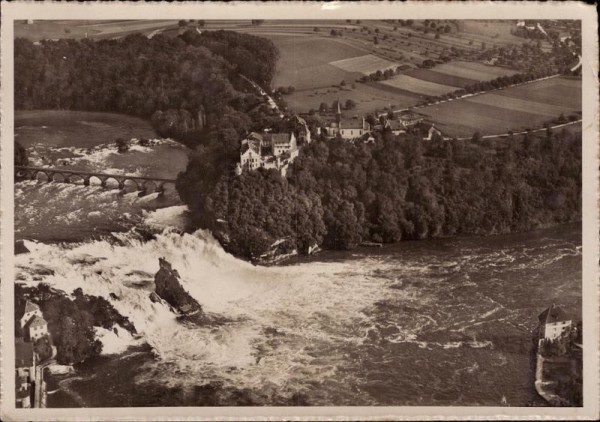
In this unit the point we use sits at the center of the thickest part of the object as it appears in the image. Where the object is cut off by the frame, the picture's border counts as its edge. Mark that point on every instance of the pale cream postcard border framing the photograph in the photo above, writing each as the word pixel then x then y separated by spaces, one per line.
pixel 293 10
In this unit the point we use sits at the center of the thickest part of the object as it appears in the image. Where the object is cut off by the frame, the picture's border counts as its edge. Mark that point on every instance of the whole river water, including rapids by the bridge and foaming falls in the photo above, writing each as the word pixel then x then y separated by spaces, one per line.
pixel 443 322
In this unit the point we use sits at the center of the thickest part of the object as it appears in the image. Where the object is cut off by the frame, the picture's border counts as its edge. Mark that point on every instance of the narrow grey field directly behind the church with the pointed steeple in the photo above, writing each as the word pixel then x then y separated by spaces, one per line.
pixel 368 98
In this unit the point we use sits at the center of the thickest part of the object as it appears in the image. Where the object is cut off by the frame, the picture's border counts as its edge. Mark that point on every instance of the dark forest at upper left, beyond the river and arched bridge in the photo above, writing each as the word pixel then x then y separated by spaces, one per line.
pixel 189 85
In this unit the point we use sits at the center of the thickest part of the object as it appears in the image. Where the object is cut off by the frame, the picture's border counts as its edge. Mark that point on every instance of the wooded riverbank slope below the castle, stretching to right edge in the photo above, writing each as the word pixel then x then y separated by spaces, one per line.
pixel 341 193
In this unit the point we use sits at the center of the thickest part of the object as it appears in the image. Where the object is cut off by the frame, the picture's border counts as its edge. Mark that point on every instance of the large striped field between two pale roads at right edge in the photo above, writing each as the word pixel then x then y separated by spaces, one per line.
pixel 511 109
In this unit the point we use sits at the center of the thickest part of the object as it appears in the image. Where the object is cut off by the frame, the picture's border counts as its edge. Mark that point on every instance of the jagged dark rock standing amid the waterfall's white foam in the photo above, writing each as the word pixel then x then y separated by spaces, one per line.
pixel 169 288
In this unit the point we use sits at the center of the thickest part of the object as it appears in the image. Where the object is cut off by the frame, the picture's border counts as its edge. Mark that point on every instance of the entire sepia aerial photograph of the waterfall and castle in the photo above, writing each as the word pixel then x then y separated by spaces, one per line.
pixel 298 212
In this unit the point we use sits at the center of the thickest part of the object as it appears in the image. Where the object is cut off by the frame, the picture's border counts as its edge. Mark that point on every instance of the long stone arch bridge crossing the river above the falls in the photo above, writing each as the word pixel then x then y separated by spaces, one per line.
pixel 143 184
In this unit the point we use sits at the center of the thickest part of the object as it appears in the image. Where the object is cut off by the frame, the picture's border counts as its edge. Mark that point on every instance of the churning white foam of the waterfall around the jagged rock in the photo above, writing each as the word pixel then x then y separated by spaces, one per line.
pixel 309 306
